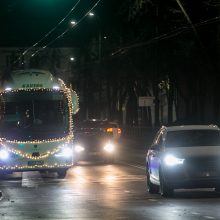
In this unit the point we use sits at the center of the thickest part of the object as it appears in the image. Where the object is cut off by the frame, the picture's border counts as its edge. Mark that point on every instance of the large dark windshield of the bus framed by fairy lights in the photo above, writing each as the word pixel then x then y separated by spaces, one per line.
pixel 33 115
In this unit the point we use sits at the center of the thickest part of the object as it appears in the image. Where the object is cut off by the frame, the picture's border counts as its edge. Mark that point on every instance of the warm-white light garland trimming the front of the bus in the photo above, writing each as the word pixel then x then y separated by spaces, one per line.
pixel 68 94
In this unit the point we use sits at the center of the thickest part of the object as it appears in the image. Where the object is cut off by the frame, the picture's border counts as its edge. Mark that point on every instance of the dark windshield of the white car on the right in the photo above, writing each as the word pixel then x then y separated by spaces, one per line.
pixel 189 138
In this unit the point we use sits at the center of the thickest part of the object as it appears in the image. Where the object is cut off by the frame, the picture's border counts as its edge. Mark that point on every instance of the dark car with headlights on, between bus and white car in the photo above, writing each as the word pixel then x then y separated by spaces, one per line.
pixel 96 139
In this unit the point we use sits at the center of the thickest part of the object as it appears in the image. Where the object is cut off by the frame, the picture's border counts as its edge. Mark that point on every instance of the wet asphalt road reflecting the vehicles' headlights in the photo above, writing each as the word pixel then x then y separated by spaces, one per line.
pixel 99 191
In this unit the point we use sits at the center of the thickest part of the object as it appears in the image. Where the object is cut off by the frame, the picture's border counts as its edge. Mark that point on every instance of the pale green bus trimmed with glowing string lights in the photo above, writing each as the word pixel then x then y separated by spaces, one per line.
pixel 36 123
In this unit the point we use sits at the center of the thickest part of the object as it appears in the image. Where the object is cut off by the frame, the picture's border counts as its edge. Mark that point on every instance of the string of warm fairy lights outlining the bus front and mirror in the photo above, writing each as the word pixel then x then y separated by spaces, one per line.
pixel 8 144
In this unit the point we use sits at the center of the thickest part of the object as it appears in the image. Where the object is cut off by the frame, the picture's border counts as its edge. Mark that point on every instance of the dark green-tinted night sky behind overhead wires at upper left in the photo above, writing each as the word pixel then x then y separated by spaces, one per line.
pixel 24 22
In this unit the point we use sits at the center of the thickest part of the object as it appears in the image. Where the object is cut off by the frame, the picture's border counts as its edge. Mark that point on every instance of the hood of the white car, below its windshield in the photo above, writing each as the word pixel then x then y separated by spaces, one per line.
pixel 198 151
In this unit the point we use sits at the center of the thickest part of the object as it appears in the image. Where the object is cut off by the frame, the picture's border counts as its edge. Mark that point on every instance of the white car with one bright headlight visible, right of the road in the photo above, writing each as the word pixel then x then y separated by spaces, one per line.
pixel 184 157
